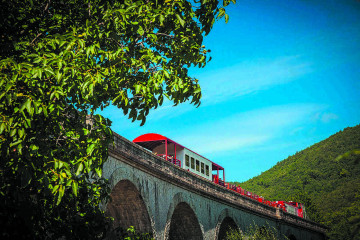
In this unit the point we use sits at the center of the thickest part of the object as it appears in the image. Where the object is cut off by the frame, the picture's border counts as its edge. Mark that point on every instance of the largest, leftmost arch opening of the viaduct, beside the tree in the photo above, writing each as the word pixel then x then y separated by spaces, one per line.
pixel 128 208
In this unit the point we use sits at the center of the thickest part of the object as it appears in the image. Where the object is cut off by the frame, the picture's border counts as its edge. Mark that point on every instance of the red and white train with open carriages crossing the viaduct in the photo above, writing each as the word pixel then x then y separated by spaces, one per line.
pixel 191 161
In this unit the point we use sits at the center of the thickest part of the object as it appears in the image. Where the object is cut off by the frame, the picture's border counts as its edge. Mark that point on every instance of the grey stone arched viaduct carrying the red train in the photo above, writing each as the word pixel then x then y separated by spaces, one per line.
pixel 160 198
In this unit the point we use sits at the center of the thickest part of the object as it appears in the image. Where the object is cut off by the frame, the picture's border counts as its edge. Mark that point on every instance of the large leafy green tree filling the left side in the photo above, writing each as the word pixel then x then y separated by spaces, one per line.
pixel 60 61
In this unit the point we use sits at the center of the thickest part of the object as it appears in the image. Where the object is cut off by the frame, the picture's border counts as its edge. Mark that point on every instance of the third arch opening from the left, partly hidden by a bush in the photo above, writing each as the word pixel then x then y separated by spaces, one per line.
pixel 225 223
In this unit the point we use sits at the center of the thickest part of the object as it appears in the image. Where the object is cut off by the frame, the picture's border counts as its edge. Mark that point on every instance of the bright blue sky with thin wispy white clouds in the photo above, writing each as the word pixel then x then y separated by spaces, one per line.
pixel 284 75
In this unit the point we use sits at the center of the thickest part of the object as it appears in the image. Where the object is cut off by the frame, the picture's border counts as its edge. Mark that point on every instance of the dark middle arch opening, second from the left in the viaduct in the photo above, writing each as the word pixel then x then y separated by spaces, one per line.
pixel 184 224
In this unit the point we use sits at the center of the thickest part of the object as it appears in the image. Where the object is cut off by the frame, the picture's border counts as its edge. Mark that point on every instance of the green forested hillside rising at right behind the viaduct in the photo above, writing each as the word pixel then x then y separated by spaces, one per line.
pixel 328 185
